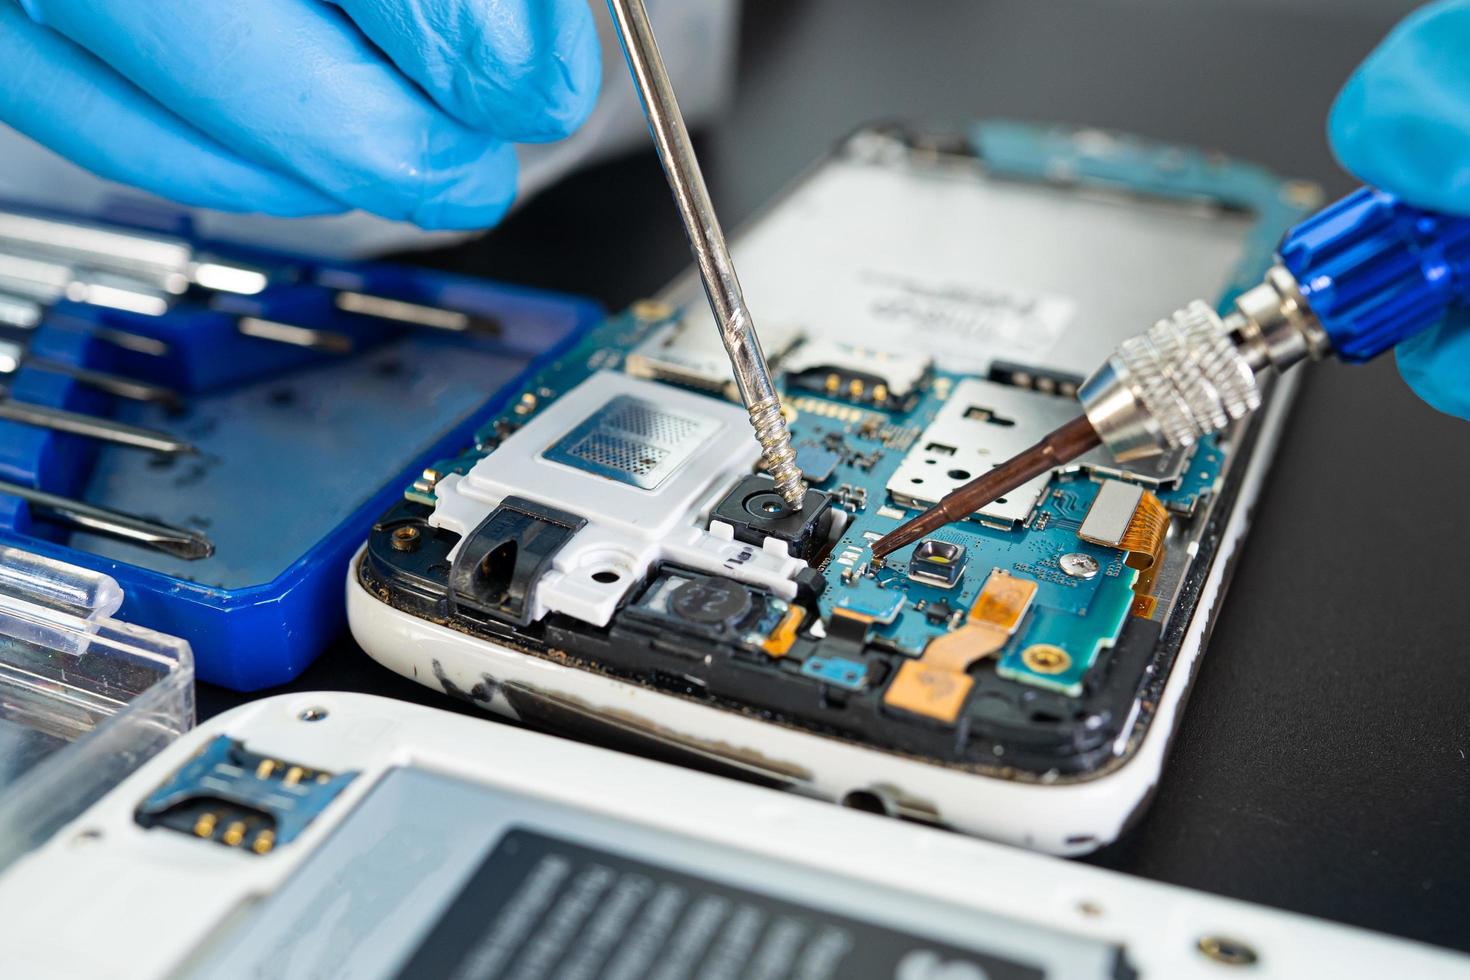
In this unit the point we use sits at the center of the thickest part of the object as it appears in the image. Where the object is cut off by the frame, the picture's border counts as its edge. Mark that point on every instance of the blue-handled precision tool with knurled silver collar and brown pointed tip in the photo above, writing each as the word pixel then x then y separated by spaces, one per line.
pixel 1358 278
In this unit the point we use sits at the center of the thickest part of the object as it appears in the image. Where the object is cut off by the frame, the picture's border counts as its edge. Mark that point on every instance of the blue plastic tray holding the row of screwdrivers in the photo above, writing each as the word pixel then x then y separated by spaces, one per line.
pixel 299 450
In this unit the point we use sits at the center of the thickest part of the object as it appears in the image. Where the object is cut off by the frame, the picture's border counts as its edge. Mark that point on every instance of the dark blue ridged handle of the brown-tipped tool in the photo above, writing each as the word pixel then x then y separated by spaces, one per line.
pixel 1377 271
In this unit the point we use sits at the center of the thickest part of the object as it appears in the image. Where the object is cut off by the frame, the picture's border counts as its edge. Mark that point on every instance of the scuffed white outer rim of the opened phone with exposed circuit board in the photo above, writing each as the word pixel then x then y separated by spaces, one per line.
pixel 1064 818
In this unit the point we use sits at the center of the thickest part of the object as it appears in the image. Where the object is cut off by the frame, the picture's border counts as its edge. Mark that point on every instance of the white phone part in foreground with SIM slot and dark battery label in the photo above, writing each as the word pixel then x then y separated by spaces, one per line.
pixel 331 835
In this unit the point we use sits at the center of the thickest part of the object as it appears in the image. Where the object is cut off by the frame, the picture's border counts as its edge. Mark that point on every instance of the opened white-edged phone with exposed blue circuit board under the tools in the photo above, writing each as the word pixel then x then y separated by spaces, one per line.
pixel 608 561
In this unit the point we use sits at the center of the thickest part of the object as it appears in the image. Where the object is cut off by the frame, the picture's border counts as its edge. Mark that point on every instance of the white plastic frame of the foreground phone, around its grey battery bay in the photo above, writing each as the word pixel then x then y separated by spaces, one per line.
pixel 107 898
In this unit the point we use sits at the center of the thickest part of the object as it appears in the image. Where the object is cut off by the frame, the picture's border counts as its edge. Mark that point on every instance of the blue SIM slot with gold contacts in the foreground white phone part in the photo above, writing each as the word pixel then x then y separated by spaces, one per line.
pixel 240 799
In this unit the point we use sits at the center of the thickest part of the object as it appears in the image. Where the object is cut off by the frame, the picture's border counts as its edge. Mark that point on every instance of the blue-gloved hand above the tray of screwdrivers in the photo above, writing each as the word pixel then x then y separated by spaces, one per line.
pixel 401 108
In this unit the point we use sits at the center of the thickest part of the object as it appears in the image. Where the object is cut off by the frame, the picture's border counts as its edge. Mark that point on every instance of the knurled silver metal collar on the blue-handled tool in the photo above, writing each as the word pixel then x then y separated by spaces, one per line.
pixel 1171 387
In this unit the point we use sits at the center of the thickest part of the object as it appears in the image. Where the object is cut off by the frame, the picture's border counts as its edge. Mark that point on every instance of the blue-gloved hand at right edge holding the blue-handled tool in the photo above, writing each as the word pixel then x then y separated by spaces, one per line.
pixel 1403 124
